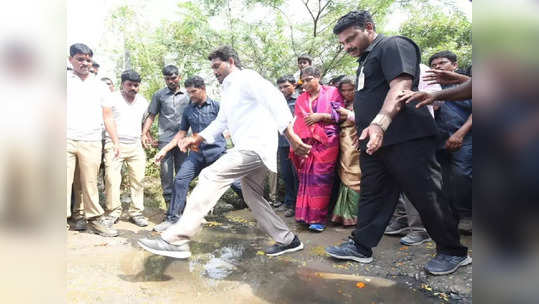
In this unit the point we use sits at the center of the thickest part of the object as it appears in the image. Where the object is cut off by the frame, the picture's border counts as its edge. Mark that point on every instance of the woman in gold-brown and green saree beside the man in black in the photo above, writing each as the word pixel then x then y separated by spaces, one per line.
pixel 345 210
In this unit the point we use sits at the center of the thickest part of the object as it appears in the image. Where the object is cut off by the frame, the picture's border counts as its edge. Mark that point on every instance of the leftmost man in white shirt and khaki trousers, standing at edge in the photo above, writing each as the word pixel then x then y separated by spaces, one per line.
pixel 84 122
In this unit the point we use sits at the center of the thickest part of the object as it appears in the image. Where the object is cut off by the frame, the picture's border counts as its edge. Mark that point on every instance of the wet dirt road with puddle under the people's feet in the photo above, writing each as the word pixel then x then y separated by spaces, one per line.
pixel 228 266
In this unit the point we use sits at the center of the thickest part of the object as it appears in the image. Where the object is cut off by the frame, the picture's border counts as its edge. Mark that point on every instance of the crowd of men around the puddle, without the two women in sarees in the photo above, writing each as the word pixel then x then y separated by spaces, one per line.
pixel 410 154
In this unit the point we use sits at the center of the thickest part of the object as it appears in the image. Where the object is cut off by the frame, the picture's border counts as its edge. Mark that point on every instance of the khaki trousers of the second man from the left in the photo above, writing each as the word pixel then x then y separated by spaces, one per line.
pixel 135 159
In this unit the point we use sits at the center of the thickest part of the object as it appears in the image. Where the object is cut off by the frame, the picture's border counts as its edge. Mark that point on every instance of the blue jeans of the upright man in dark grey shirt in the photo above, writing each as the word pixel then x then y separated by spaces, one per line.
pixel 170 165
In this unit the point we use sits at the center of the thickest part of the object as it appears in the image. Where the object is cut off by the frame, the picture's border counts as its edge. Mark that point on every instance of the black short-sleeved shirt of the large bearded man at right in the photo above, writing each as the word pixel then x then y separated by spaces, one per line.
pixel 386 59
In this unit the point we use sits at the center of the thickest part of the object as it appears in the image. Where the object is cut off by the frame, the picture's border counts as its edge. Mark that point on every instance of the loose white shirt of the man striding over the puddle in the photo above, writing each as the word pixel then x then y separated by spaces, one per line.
pixel 253 110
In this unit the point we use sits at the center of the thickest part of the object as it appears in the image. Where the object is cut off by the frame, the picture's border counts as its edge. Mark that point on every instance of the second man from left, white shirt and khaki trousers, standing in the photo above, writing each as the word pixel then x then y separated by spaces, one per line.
pixel 123 114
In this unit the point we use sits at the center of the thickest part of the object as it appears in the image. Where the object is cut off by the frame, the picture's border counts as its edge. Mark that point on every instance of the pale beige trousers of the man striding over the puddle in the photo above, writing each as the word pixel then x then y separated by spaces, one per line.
pixel 213 181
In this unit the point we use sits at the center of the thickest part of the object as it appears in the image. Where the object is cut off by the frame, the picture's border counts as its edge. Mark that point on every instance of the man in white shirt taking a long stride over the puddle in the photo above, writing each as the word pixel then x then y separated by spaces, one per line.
pixel 252 109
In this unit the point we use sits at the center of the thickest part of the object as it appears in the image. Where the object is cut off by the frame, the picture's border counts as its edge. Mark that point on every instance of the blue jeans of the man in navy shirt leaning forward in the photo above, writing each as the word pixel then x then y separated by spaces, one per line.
pixel 190 169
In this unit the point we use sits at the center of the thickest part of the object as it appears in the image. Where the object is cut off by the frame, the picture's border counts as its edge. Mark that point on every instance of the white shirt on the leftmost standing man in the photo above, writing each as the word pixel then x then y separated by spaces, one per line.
pixel 84 113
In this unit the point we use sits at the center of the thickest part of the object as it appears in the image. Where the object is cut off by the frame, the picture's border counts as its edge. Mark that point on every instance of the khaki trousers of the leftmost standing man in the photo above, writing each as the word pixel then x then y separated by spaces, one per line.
pixel 87 156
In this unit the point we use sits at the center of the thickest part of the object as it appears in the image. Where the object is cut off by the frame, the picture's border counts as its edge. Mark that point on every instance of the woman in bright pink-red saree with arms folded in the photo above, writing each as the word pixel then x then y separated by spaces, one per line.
pixel 316 124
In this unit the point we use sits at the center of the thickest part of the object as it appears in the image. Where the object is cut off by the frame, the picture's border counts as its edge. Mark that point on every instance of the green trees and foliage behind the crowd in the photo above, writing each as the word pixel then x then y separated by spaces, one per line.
pixel 271 41
